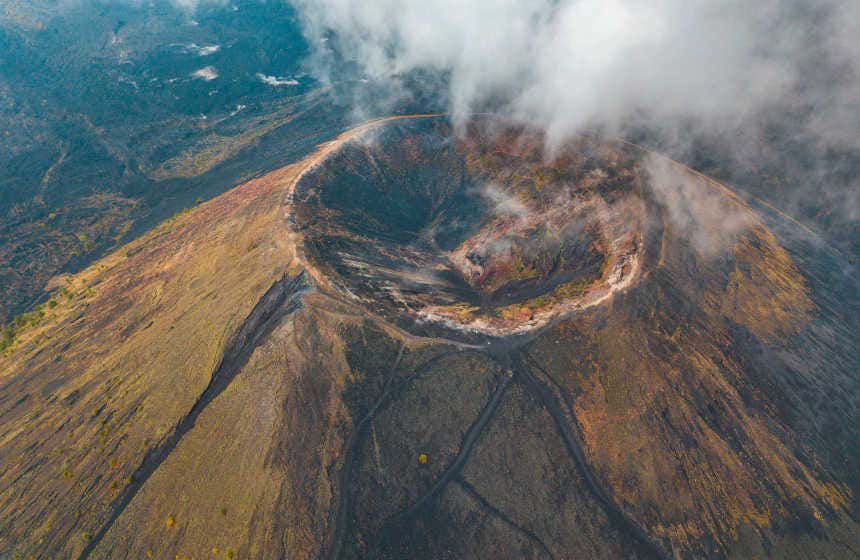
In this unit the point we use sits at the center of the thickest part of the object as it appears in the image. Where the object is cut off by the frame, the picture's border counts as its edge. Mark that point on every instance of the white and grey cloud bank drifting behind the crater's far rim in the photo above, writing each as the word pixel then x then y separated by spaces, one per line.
pixel 744 73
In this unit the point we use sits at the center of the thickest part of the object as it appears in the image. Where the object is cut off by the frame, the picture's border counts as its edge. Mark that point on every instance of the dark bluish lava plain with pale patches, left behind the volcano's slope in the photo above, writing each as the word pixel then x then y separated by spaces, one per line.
pixel 106 129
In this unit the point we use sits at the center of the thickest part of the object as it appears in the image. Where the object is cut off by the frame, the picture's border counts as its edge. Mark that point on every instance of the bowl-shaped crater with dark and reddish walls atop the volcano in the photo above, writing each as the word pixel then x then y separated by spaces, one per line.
pixel 481 231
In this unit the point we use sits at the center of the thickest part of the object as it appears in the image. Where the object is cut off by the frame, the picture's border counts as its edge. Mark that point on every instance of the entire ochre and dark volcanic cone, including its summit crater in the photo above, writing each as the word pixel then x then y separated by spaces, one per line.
pixel 419 345
